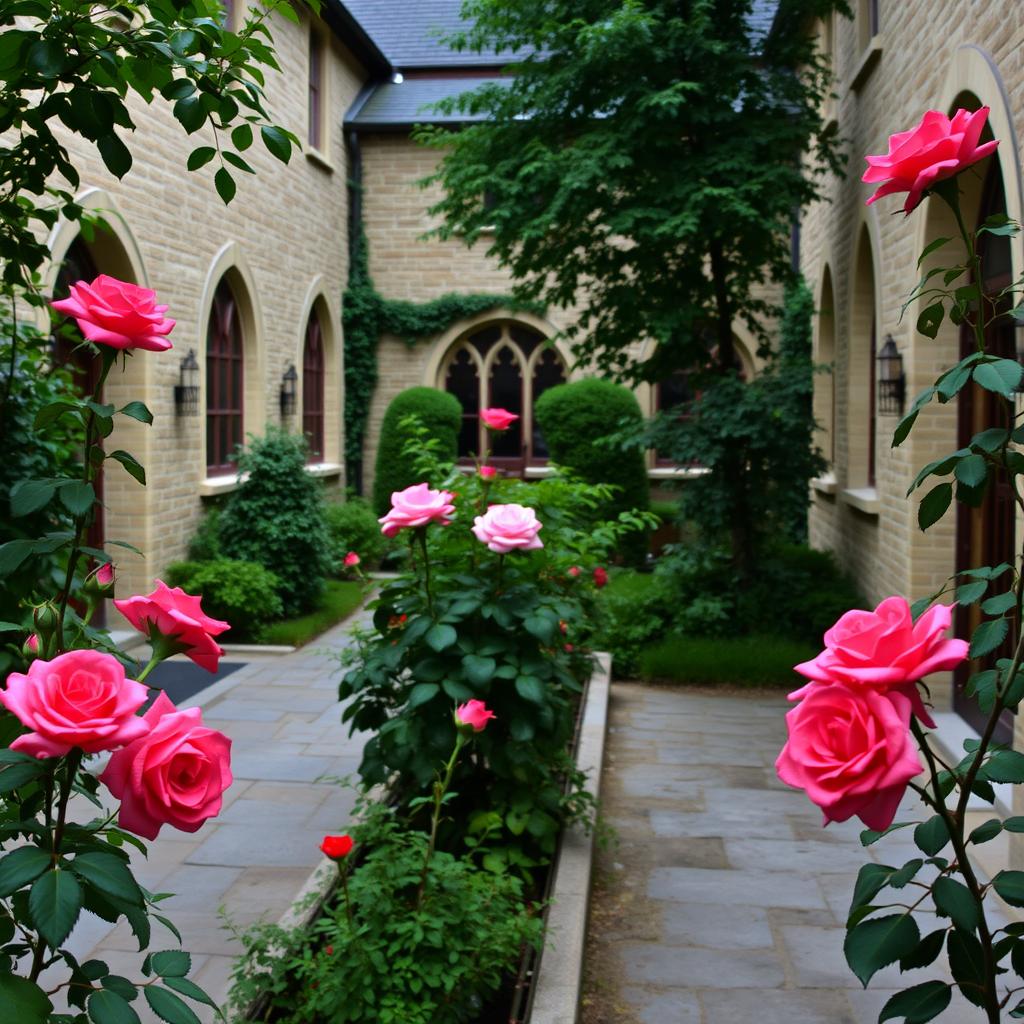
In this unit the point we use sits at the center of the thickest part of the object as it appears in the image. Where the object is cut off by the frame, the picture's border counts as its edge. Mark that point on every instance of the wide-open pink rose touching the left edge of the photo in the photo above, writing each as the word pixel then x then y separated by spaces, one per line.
pixel 81 699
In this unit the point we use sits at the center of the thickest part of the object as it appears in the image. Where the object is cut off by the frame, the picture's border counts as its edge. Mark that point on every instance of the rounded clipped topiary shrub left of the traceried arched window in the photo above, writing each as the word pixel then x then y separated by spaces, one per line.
pixel 440 413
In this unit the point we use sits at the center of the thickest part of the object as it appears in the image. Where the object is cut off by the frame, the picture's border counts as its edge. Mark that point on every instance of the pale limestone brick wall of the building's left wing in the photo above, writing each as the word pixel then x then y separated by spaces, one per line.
pixel 284 243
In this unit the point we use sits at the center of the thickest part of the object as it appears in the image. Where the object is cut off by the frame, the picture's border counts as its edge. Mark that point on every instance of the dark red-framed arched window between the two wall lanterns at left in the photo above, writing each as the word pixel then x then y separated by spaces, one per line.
pixel 224 381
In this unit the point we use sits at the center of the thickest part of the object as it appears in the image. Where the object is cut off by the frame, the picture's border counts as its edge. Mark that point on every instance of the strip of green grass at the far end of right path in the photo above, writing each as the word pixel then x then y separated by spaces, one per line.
pixel 751 661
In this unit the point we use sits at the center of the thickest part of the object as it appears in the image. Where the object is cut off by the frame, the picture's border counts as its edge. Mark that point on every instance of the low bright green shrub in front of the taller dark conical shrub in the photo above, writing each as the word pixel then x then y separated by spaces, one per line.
pixel 244 594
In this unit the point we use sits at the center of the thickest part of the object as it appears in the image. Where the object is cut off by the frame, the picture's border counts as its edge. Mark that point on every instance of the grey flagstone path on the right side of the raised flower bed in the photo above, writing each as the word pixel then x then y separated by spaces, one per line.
pixel 726 900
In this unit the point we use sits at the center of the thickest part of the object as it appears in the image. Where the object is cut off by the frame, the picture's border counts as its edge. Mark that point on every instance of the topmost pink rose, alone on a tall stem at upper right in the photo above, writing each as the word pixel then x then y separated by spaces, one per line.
pixel 936 150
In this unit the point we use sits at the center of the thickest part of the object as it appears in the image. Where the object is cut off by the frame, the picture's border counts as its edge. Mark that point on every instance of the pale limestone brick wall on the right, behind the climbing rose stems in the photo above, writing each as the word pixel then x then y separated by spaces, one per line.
pixel 884 86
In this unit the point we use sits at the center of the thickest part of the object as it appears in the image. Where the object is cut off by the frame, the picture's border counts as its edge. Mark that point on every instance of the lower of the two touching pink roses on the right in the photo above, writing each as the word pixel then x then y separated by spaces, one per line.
pixel 851 751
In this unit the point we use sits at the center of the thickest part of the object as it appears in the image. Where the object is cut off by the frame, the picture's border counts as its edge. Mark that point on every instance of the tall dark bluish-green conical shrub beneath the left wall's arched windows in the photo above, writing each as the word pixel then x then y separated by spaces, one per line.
pixel 276 519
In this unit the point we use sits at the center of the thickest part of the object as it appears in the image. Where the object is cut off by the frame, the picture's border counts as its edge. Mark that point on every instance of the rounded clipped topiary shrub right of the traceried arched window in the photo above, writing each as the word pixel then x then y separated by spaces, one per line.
pixel 574 419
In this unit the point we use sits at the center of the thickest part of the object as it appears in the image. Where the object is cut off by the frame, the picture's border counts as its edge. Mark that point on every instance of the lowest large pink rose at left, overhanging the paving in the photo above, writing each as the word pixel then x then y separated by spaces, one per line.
pixel 177 775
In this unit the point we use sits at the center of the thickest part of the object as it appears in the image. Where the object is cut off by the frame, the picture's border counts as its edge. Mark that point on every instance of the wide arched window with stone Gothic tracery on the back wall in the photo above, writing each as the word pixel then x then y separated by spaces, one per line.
pixel 506 366
